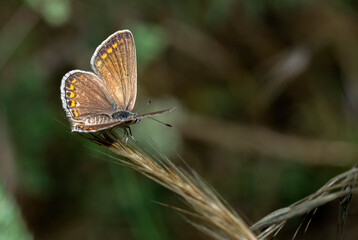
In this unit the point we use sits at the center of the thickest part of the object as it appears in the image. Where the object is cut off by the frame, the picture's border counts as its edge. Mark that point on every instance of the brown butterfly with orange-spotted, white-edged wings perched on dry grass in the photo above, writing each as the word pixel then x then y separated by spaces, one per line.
pixel 105 98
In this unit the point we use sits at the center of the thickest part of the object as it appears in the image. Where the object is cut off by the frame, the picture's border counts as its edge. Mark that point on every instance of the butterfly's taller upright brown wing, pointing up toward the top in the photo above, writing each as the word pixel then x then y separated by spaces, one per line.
pixel 114 61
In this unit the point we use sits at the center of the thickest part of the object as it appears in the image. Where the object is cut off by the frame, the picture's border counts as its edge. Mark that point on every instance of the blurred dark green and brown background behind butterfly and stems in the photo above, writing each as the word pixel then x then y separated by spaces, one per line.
pixel 266 97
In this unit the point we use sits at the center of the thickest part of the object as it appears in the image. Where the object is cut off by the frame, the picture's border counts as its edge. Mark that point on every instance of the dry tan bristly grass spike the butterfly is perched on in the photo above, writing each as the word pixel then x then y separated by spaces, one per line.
pixel 210 213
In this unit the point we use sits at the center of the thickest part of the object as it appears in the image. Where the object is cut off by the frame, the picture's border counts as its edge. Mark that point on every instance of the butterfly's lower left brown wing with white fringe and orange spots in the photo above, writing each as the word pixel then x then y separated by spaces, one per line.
pixel 84 95
